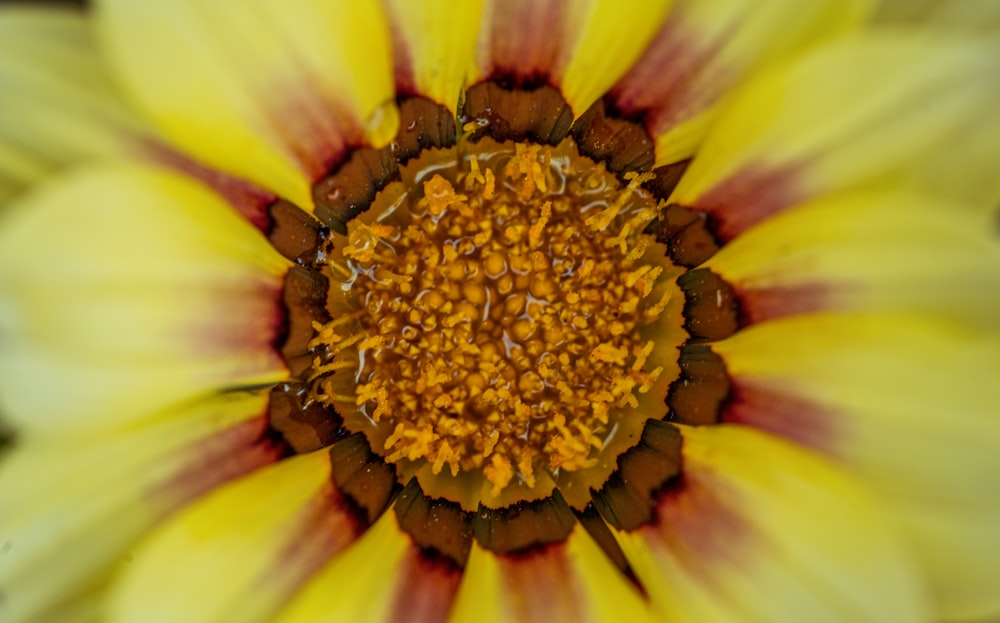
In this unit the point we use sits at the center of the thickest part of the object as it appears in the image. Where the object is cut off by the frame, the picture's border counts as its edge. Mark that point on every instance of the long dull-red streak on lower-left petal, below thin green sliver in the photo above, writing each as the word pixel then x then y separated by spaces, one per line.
pixel 217 459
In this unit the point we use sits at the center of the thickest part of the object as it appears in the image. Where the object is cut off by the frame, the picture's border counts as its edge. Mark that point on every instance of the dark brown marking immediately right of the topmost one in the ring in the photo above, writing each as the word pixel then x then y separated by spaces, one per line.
pixel 621 144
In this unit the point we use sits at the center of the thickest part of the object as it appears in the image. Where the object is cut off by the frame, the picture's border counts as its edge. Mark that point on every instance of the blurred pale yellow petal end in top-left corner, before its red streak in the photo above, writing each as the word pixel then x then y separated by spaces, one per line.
pixel 59 105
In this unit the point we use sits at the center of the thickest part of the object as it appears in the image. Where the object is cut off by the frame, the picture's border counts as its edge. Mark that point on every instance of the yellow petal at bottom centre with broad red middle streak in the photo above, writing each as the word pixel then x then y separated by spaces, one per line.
pixel 570 581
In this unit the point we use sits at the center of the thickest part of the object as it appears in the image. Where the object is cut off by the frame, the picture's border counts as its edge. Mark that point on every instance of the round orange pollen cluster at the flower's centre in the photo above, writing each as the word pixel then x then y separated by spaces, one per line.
pixel 491 320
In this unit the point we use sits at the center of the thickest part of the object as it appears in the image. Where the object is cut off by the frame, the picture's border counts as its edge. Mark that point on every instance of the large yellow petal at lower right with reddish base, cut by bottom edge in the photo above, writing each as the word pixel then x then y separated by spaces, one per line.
pixel 760 530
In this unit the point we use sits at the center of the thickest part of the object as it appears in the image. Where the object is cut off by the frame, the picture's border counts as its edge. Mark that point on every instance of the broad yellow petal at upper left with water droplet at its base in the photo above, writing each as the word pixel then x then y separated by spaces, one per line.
pixel 273 92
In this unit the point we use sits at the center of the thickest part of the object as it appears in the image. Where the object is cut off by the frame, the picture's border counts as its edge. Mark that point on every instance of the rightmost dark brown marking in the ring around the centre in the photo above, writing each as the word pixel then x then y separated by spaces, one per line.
pixel 711 309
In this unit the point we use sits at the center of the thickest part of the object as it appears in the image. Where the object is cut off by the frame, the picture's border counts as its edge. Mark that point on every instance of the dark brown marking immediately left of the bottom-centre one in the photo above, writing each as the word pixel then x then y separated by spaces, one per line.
pixel 437 526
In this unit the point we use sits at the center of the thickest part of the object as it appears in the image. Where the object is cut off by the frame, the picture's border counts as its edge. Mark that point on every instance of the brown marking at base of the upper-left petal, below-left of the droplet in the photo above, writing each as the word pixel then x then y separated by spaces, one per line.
pixel 351 187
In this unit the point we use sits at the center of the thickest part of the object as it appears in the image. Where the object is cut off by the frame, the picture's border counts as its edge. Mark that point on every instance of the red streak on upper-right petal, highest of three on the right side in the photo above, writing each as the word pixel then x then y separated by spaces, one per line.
pixel 748 197
